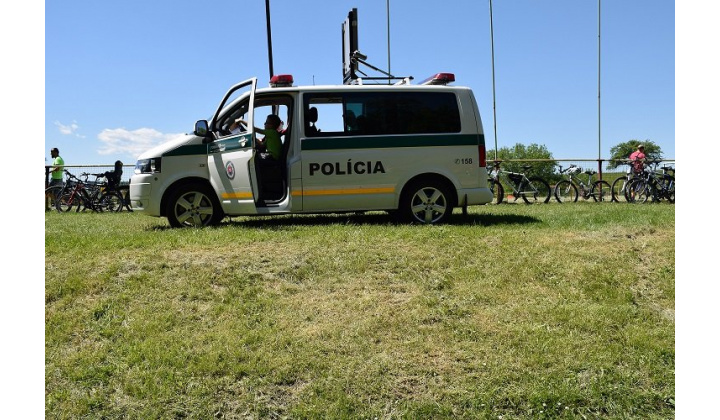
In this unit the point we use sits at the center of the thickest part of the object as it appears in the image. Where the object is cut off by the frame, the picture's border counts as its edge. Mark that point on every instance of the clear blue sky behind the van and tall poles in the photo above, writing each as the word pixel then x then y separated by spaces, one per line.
pixel 121 77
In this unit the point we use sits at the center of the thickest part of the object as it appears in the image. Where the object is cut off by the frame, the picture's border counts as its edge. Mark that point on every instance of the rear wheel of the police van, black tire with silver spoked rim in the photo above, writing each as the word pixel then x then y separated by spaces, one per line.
pixel 427 201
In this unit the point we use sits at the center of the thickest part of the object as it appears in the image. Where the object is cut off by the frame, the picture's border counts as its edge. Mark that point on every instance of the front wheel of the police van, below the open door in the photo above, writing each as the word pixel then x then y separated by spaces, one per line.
pixel 193 205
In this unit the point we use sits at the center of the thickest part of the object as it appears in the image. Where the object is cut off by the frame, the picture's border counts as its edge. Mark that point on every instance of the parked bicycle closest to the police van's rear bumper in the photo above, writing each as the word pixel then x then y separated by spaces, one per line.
pixel 531 189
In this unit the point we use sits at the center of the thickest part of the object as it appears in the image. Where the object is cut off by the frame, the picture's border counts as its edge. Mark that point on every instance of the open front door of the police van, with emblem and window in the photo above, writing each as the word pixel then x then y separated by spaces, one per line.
pixel 231 155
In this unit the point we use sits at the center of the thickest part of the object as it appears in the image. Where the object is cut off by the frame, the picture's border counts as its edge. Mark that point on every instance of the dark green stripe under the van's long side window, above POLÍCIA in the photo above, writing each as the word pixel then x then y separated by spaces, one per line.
pixel 384 142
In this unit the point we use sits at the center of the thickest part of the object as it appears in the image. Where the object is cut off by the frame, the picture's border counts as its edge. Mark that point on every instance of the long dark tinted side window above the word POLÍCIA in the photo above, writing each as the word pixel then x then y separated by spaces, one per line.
pixel 382 113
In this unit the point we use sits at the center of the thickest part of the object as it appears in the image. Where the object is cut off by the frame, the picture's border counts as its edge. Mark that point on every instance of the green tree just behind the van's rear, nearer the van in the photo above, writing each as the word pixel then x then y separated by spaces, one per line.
pixel 515 157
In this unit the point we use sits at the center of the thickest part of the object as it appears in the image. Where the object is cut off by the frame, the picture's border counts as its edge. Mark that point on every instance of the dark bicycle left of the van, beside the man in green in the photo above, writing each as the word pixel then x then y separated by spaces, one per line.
pixel 80 195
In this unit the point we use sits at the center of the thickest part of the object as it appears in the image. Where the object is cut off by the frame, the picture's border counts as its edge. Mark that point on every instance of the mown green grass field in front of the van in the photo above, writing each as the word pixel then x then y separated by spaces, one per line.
pixel 513 311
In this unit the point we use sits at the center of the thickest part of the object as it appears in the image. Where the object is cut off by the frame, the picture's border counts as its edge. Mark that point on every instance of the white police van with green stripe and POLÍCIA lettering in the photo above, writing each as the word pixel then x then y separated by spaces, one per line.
pixel 415 150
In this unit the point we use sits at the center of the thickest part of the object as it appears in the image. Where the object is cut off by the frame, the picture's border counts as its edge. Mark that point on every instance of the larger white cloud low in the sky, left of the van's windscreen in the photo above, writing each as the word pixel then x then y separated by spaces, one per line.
pixel 120 141
